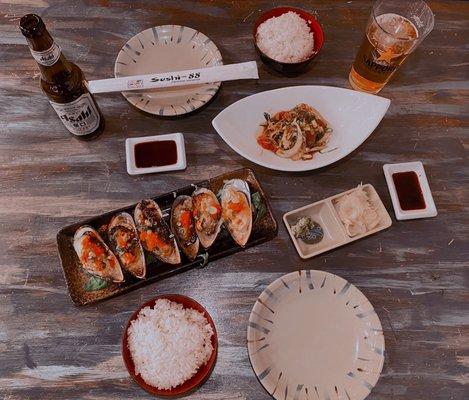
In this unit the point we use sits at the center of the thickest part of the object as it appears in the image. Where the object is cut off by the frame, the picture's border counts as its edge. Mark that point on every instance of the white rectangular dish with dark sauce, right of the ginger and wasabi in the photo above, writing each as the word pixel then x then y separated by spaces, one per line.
pixel 409 189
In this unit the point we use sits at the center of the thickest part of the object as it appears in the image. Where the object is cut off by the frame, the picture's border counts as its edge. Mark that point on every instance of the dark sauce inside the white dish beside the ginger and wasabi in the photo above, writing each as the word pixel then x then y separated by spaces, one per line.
pixel 409 191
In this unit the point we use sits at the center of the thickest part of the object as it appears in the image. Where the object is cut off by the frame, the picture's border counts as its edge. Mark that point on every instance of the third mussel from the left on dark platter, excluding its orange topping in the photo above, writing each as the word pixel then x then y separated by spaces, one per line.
pixel 148 217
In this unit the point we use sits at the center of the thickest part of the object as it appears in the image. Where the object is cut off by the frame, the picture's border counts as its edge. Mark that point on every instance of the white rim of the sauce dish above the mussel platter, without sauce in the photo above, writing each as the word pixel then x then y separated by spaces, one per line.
pixel 130 154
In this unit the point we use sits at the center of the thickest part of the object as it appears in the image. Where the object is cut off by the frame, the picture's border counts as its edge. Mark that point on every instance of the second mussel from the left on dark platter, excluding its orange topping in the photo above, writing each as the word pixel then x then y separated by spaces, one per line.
pixel 123 221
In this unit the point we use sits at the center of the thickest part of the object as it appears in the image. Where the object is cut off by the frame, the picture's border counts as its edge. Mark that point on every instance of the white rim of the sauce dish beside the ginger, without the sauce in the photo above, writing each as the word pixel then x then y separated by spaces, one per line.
pixel 417 167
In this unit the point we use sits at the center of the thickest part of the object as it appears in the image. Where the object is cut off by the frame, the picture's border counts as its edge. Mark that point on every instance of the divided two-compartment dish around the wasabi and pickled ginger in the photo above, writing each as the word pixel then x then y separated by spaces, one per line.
pixel 335 235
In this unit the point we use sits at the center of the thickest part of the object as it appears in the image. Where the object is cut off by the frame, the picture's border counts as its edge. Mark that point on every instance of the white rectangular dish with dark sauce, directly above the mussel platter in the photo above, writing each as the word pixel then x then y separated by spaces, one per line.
pixel 159 153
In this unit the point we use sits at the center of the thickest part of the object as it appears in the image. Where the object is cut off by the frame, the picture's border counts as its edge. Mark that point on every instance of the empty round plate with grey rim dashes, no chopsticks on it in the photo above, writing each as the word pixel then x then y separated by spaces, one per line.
pixel 313 335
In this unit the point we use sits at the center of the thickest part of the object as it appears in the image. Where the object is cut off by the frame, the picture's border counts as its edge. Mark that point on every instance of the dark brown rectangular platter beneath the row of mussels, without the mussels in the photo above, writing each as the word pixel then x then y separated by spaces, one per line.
pixel 264 229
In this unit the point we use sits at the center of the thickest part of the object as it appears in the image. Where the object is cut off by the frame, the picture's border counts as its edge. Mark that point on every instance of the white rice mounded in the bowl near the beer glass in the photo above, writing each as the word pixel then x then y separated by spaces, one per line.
pixel 286 38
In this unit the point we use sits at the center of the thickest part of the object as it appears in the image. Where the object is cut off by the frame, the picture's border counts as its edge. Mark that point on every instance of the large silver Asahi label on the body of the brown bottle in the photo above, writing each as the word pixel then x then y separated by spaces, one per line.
pixel 80 117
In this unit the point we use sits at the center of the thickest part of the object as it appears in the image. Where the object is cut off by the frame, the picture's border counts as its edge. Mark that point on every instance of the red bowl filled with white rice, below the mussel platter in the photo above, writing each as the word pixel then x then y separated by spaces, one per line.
pixel 170 345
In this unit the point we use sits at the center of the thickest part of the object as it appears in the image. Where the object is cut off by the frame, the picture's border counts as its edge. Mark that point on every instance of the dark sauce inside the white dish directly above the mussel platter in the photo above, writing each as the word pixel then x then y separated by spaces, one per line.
pixel 155 154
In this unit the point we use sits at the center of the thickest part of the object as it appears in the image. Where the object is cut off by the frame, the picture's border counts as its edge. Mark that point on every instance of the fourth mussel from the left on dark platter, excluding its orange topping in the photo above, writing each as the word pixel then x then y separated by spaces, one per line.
pixel 189 245
